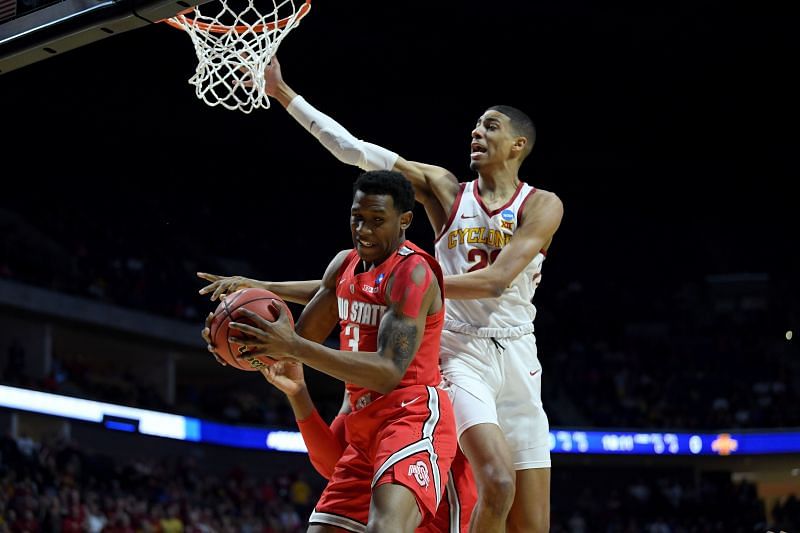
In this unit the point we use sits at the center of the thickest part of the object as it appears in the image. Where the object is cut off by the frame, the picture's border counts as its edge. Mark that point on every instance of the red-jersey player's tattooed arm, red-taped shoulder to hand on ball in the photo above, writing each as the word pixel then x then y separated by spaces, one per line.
pixel 411 293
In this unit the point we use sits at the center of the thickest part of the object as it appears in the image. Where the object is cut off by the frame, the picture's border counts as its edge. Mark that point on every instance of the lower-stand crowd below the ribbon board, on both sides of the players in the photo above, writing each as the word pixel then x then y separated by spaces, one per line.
pixel 59 486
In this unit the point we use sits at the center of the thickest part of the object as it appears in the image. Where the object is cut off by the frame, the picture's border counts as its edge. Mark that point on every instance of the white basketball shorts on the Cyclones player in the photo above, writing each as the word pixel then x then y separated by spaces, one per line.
pixel 499 384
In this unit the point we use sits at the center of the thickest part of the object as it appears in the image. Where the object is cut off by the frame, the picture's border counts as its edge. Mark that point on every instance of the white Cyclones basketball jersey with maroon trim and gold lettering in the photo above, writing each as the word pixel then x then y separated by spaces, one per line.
pixel 471 240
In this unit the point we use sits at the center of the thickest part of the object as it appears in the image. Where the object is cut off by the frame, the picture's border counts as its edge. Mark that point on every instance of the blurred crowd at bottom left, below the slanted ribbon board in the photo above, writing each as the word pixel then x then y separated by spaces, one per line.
pixel 58 486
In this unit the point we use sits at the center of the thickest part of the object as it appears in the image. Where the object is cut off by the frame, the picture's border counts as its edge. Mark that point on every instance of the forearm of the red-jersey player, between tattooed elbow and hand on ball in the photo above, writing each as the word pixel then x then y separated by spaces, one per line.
pixel 364 369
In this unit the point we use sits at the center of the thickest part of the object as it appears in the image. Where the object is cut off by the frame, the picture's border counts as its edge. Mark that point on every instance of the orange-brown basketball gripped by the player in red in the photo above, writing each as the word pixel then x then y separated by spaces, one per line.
pixel 256 300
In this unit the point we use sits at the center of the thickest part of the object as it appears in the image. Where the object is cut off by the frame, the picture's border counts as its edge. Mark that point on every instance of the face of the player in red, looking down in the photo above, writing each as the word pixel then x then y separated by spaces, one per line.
pixel 377 226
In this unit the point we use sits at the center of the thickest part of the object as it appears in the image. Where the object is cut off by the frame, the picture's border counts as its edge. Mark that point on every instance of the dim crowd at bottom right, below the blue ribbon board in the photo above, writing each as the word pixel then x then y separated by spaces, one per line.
pixel 627 500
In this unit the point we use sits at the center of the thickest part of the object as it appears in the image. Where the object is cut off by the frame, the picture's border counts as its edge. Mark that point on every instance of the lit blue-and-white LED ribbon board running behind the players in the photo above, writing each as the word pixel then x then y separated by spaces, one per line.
pixel 561 440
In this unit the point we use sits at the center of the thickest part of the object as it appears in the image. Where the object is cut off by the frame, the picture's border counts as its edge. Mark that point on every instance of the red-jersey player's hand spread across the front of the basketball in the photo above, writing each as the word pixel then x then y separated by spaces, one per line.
pixel 273 339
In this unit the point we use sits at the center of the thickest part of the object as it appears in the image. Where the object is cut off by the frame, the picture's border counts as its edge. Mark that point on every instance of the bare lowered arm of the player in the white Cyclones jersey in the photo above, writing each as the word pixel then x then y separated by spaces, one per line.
pixel 540 220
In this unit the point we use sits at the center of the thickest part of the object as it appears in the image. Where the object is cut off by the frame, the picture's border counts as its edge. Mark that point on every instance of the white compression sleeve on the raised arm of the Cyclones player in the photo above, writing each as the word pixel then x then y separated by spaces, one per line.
pixel 338 141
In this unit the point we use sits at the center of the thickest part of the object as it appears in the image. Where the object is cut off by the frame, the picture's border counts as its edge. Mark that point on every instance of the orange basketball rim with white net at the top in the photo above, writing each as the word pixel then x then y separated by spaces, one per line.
pixel 235 45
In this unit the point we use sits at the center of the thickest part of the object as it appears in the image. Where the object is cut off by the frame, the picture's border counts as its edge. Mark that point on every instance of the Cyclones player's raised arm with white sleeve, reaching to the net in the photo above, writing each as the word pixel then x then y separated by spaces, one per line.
pixel 435 187
